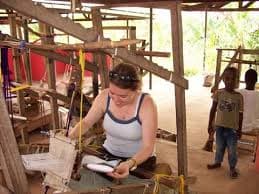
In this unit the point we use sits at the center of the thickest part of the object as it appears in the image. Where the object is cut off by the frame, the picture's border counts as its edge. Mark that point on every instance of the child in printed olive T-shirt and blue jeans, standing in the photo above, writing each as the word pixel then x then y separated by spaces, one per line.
pixel 228 104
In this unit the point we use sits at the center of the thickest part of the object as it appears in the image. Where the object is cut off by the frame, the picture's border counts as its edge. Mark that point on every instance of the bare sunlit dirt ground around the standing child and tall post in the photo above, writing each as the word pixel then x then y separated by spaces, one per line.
pixel 198 103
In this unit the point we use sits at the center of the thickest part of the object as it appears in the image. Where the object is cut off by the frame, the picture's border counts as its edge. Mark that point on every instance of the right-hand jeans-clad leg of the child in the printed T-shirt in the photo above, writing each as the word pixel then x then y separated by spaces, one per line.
pixel 232 148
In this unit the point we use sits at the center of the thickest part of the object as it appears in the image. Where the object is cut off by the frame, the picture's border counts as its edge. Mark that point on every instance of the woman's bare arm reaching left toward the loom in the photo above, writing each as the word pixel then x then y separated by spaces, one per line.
pixel 95 113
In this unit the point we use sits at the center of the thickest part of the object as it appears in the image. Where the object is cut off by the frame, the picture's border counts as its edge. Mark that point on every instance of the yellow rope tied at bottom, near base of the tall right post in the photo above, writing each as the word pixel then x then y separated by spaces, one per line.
pixel 158 177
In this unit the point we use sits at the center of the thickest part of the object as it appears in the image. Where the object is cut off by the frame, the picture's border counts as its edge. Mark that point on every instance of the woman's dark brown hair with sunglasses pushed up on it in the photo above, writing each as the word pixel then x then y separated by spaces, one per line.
pixel 125 76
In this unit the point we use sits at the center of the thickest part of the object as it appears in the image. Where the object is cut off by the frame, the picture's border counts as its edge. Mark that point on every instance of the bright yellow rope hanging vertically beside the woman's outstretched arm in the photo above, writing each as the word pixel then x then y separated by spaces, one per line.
pixel 82 63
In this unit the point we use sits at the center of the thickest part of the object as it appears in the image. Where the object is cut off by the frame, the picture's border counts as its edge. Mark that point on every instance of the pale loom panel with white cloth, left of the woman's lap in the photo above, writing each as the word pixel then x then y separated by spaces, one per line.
pixel 57 163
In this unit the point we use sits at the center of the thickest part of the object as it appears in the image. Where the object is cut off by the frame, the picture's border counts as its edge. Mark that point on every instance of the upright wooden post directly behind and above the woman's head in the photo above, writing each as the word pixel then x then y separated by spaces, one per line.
pixel 99 58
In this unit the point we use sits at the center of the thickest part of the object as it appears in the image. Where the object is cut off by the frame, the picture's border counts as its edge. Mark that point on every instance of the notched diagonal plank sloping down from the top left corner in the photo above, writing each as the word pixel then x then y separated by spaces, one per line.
pixel 30 8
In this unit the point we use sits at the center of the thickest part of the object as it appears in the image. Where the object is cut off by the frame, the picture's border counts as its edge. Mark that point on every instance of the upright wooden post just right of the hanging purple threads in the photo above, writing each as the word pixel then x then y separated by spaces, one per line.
pixel 17 65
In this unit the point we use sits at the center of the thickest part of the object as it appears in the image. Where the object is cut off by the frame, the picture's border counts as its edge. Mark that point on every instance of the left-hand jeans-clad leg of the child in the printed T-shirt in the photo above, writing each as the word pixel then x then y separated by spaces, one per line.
pixel 220 144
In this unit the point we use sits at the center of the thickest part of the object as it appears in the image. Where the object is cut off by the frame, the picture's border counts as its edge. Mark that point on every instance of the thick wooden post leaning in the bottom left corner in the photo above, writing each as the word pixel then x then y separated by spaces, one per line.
pixel 10 151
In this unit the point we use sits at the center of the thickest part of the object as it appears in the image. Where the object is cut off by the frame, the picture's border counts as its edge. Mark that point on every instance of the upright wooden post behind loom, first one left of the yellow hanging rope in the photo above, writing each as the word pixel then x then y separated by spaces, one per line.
pixel 51 72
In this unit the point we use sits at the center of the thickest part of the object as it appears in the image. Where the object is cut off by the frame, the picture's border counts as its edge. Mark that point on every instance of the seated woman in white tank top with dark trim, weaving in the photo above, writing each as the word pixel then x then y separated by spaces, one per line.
pixel 130 121
